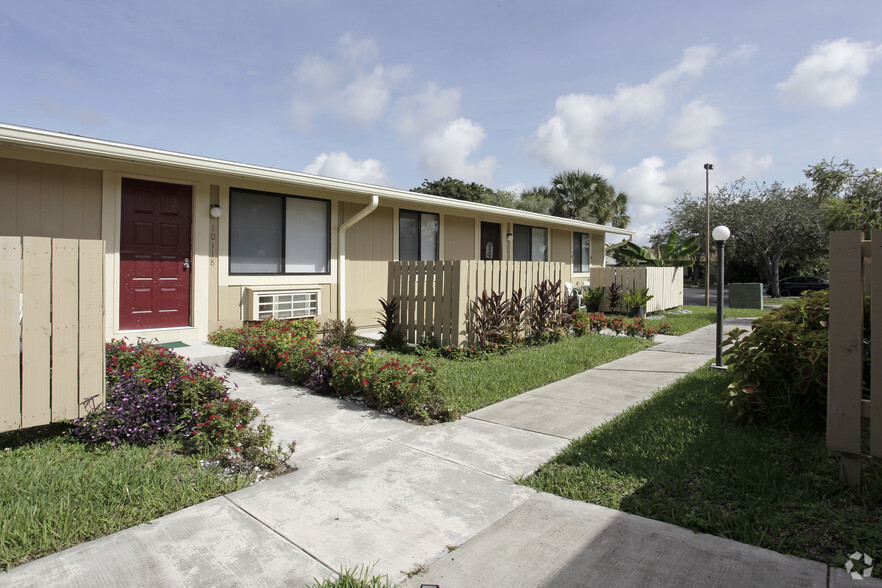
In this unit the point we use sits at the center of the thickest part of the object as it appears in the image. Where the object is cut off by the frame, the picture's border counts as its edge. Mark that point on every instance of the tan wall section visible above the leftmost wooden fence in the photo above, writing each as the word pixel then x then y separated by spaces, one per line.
pixel 46 200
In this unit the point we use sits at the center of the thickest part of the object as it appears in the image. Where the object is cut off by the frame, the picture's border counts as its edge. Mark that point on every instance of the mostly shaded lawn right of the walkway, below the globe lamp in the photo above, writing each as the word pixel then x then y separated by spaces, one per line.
pixel 680 458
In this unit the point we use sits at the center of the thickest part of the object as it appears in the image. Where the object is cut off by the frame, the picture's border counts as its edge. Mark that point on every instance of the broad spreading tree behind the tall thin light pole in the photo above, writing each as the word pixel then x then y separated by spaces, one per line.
pixel 771 226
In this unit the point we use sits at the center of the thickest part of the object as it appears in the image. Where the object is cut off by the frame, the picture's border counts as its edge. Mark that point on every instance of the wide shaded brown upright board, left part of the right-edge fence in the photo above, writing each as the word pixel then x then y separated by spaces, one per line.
pixel 845 353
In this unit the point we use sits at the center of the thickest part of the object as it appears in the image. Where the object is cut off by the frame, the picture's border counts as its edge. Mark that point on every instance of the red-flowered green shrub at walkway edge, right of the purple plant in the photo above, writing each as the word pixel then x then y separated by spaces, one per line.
pixel 226 424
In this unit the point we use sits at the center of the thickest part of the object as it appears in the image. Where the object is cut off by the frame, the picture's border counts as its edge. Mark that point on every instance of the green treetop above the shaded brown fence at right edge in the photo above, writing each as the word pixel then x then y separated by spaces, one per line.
pixel 852 198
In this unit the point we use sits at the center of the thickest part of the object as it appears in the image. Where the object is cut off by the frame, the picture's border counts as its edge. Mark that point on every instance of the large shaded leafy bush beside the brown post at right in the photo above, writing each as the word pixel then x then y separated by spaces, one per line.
pixel 779 370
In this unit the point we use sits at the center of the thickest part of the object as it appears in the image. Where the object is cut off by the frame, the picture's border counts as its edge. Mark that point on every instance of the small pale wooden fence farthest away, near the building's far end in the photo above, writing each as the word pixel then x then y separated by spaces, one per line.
pixel 665 284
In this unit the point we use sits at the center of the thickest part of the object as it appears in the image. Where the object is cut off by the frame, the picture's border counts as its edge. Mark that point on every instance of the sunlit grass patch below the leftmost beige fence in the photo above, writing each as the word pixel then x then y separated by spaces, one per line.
pixel 56 493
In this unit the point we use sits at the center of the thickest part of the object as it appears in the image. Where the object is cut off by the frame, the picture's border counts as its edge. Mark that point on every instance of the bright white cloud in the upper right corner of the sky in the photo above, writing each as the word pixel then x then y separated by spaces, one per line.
pixel 830 75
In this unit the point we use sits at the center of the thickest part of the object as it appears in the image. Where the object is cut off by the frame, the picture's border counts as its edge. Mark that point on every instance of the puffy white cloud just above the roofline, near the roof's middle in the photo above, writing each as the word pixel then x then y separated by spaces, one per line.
pixel 445 152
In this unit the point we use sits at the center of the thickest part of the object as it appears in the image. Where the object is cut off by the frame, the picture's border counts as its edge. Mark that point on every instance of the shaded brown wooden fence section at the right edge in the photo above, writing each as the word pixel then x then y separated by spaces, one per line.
pixel 852 276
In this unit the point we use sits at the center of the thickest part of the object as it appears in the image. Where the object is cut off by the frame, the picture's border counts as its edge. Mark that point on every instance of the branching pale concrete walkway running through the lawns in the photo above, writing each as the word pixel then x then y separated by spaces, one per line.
pixel 438 503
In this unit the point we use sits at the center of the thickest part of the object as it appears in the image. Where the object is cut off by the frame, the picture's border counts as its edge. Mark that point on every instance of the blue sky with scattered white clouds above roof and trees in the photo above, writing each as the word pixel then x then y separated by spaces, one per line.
pixel 505 93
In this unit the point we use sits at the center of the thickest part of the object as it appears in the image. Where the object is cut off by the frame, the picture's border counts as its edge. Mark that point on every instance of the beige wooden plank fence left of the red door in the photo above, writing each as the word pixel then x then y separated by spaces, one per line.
pixel 51 329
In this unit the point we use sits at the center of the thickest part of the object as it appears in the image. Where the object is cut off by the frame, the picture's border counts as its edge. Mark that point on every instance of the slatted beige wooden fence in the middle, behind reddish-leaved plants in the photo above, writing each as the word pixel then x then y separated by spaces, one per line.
pixel 435 295
